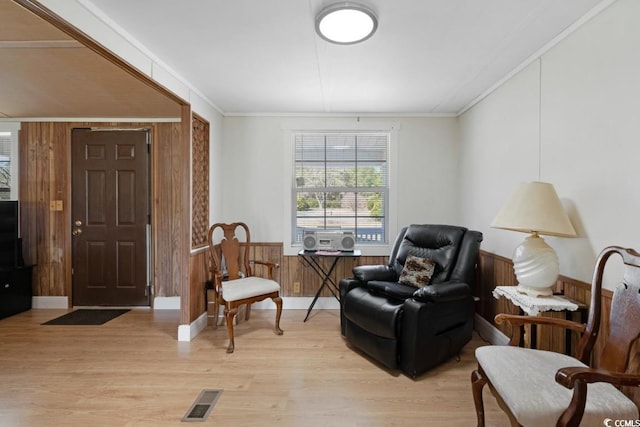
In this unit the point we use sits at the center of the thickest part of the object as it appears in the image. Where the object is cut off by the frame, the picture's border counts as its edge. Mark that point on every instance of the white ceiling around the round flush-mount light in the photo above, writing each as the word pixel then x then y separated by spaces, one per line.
pixel 263 56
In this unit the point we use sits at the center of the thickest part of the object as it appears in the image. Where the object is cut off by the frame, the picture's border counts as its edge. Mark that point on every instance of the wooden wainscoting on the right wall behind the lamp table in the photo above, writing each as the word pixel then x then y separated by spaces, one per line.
pixel 495 270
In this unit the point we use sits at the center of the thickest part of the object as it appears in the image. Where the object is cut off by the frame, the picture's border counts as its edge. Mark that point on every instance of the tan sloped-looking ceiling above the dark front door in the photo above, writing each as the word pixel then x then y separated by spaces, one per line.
pixel 44 72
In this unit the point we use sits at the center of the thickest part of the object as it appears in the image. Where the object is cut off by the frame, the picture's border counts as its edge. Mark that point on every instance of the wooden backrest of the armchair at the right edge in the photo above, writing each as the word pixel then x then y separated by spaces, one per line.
pixel 618 352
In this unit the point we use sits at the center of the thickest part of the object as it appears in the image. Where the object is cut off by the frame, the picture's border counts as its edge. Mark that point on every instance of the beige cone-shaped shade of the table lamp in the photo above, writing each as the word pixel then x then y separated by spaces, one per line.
pixel 535 208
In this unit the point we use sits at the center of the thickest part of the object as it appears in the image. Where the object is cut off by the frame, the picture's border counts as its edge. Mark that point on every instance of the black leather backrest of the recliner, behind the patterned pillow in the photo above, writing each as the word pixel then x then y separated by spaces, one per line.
pixel 439 243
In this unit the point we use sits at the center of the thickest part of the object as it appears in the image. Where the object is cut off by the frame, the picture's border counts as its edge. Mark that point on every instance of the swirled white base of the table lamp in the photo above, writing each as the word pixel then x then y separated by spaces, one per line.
pixel 536 266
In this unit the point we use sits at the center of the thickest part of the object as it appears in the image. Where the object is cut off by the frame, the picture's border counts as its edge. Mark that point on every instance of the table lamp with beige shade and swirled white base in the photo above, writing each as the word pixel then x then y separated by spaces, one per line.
pixel 535 208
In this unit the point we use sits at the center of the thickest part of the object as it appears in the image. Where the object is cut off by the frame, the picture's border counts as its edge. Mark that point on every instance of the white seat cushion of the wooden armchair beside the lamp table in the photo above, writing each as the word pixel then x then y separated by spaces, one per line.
pixel 525 379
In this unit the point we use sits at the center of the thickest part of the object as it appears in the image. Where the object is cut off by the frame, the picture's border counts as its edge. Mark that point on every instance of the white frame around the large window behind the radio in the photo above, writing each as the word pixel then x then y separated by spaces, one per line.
pixel 340 126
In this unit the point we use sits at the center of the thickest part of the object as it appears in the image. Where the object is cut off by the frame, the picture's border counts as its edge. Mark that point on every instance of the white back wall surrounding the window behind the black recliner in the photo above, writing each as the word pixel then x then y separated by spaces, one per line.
pixel 254 149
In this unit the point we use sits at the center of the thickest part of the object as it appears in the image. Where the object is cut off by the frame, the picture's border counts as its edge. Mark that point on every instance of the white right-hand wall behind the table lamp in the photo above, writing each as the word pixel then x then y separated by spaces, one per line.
pixel 589 143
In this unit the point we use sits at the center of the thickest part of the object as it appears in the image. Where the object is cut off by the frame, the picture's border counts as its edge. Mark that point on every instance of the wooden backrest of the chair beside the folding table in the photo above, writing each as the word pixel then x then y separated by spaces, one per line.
pixel 230 254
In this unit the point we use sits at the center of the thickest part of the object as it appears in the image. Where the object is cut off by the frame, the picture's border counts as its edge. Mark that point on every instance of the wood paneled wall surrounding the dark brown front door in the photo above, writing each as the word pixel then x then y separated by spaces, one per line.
pixel 45 170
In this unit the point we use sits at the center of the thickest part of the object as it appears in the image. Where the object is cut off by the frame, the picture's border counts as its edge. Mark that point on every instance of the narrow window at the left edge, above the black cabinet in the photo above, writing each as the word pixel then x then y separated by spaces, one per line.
pixel 8 161
